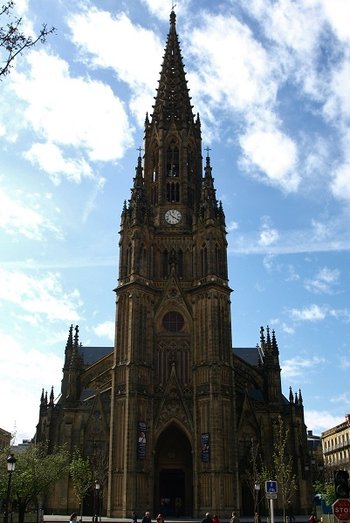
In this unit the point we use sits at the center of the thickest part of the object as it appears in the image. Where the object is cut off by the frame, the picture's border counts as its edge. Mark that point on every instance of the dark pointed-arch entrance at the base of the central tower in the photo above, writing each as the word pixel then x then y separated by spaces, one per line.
pixel 173 482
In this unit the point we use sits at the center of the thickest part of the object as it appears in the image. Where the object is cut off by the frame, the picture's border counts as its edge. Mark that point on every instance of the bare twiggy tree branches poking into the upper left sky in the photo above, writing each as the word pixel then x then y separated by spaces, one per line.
pixel 13 41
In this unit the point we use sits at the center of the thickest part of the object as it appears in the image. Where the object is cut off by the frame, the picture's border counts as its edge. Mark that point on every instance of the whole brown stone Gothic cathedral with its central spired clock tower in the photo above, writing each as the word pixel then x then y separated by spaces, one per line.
pixel 169 416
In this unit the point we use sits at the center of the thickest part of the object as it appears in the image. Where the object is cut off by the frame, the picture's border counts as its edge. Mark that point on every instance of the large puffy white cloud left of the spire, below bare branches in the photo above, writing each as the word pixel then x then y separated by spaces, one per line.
pixel 61 110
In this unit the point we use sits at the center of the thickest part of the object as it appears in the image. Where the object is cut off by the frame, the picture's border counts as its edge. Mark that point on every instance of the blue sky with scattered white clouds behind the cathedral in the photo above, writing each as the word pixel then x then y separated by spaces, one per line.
pixel 270 79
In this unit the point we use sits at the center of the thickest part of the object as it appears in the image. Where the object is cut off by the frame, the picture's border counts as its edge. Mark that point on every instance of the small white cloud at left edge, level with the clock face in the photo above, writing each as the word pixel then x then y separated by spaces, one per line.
pixel 17 218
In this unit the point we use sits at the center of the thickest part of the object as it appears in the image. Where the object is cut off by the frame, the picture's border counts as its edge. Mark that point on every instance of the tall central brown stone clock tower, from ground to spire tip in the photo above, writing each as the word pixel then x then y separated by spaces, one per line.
pixel 173 408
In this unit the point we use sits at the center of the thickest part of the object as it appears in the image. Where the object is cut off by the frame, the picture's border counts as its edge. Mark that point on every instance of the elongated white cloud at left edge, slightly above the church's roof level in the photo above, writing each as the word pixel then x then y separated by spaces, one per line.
pixel 43 298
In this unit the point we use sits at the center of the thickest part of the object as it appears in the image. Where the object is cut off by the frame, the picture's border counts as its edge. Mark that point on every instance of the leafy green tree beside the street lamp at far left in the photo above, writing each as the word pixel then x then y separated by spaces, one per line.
pixel 35 474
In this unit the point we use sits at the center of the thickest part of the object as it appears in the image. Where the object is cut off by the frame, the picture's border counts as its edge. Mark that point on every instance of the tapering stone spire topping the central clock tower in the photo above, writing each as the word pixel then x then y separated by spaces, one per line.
pixel 172 101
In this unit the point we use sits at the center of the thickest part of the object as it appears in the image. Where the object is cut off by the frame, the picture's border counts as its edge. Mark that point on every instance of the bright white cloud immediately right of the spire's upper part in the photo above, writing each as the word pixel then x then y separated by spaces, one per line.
pixel 234 69
